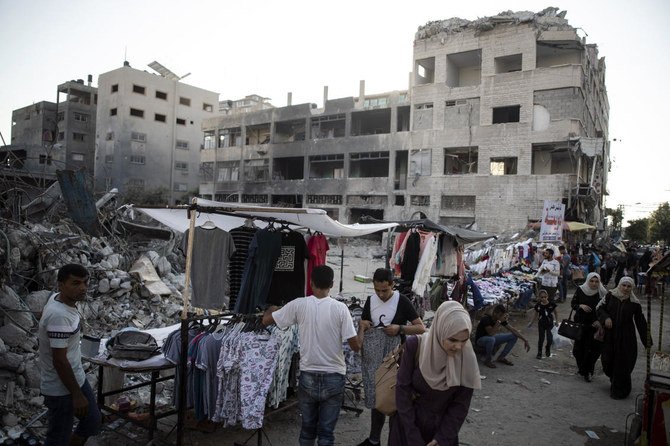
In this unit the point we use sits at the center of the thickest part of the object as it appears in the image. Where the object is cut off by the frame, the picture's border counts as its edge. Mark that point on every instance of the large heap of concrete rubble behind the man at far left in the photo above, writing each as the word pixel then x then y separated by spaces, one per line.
pixel 130 286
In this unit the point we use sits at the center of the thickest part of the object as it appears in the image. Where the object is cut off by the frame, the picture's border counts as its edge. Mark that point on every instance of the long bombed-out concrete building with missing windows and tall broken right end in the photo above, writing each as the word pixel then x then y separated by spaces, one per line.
pixel 501 113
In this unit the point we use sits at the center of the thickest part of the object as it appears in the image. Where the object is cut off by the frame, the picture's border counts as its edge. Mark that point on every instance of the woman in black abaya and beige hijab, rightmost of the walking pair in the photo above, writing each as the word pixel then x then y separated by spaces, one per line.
pixel 620 313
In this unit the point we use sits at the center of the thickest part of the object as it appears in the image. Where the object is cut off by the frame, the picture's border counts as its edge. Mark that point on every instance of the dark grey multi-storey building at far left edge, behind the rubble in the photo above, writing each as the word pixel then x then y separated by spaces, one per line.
pixel 51 136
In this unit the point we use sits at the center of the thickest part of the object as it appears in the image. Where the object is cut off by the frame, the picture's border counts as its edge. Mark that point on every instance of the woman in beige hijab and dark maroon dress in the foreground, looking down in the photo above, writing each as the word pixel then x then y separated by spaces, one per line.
pixel 437 375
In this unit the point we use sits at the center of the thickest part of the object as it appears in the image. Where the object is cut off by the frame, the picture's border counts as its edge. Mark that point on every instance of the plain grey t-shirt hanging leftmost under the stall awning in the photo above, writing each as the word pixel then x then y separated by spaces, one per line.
pixel 212 249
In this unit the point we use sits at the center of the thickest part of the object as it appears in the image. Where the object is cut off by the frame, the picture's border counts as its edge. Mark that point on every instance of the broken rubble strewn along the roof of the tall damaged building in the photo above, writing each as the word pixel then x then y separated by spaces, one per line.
pixel 549 18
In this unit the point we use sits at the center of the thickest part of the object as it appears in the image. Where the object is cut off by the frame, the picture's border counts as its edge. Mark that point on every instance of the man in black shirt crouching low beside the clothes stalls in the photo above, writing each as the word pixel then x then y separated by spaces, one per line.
pixel 488 338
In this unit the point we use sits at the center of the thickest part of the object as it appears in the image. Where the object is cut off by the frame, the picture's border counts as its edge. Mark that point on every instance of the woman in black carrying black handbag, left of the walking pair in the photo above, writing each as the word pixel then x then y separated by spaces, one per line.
pixel 587 349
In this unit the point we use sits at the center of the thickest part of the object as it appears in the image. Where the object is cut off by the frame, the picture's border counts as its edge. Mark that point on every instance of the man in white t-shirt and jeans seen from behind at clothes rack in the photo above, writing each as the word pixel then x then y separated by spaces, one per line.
pixel 323 324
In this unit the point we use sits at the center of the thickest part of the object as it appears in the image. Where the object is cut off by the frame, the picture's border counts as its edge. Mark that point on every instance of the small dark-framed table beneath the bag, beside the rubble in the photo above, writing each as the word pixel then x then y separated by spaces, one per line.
pixel 153 366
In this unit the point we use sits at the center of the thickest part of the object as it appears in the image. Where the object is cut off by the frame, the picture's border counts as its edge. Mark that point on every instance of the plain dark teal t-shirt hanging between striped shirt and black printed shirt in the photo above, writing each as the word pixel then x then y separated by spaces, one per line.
pixel 264 251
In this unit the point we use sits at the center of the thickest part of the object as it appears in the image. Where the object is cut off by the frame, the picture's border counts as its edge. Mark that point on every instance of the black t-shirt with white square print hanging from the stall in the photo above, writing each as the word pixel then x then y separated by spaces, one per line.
pixel 288 278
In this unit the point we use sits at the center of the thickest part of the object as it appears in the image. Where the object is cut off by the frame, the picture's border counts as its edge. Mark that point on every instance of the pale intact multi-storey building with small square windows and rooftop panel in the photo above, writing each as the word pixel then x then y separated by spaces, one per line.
pixel 149 132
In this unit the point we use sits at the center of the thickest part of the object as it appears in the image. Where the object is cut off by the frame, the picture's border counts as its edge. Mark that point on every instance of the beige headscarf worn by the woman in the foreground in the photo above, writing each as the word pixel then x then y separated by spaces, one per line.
pixel 440 370
